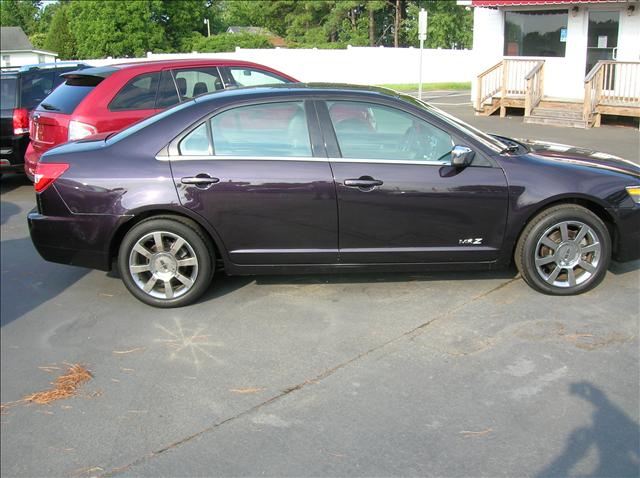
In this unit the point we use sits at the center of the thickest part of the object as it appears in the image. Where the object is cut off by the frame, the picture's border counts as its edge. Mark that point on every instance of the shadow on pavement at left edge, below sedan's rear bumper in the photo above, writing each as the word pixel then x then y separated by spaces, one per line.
pixel 24 286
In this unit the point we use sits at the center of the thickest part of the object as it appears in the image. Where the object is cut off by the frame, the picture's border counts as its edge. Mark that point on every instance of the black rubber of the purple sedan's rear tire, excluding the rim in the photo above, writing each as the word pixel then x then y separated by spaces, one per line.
pixel 203 253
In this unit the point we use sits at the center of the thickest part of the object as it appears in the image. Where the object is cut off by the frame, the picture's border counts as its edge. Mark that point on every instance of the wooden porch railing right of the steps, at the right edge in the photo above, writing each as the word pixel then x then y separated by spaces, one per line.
pixel 611 83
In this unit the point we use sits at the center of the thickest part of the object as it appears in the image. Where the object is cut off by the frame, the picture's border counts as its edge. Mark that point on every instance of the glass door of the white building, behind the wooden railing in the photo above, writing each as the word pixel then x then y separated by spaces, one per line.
pixel 602 42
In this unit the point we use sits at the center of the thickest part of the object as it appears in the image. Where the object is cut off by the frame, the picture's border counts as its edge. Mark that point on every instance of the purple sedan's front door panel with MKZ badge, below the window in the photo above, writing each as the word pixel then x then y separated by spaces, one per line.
pixel 421 213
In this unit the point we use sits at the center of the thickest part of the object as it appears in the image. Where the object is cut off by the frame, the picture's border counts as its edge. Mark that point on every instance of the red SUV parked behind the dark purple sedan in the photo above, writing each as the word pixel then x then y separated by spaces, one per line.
pixel 110 98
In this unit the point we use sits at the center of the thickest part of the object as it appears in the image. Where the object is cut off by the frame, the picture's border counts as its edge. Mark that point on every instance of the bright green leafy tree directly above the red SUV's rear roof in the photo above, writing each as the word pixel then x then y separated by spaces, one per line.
pixel 114 28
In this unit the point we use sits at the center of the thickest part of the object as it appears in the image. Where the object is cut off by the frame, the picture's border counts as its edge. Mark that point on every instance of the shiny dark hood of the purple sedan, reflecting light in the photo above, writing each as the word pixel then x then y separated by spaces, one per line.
pixel 582 157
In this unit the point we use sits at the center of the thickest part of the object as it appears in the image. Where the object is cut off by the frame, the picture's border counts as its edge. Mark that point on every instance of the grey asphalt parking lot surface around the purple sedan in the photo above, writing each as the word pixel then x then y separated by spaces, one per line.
pixel 443 374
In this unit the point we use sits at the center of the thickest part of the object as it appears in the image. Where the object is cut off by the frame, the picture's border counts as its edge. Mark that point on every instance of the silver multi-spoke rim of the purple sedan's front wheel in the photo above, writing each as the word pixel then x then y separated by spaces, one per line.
pixel 568 254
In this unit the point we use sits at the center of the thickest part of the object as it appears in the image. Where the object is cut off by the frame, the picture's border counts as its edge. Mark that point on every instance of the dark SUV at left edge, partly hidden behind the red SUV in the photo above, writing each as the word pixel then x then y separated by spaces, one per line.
pixel 21 89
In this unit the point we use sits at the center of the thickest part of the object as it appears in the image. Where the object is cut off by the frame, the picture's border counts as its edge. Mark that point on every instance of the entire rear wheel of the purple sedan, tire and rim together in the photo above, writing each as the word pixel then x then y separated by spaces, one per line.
pixel 166 261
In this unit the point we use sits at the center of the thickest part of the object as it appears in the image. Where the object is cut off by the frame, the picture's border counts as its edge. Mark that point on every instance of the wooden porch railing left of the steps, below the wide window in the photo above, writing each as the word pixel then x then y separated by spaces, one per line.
pixel 511 78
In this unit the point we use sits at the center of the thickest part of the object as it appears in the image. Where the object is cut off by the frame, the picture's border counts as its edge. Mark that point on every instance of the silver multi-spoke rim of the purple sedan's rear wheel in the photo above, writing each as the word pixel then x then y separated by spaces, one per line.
pixel 163 264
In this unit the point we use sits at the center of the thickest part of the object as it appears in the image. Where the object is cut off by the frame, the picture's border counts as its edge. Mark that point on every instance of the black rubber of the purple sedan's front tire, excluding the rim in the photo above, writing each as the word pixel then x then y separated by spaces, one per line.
pixel 565 214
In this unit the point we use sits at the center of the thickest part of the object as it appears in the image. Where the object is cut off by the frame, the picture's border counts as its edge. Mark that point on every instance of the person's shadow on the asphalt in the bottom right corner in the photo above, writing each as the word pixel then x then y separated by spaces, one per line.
pixel 615 436
